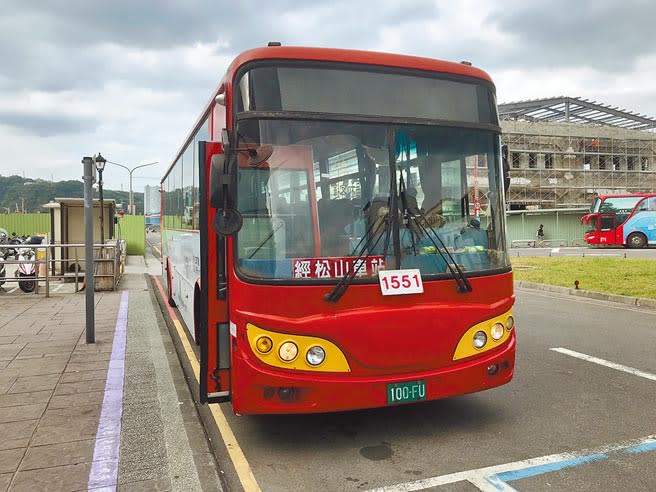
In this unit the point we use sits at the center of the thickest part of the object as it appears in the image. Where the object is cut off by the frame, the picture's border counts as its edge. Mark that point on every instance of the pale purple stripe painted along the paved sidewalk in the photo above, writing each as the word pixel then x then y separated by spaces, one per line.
pixel 104 469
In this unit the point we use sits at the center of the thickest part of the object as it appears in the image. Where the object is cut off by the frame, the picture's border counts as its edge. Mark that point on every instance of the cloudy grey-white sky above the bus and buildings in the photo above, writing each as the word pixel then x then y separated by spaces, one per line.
pixel 128 78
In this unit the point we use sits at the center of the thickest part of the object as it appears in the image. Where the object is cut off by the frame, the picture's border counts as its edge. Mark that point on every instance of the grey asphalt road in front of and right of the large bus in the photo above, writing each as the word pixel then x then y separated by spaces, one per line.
pixel 556 404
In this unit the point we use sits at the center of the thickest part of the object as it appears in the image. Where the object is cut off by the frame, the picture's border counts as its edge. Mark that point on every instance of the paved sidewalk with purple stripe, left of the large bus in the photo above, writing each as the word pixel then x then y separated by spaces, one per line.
pixel 114 415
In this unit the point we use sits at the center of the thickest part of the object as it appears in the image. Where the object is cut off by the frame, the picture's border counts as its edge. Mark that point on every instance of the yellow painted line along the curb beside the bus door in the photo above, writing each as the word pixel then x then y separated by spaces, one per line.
pixel 242 467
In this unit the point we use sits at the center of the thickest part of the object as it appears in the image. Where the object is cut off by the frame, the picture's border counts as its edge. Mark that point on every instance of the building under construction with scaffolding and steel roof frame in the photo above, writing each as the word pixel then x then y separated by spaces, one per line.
pixel 564 151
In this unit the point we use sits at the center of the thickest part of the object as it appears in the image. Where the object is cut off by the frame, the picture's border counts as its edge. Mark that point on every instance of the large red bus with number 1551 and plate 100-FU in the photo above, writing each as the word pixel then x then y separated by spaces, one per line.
pixel 334 234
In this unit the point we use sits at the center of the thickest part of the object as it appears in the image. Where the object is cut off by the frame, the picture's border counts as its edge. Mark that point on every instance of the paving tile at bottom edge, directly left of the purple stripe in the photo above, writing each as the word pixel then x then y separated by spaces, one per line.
pixel 55 479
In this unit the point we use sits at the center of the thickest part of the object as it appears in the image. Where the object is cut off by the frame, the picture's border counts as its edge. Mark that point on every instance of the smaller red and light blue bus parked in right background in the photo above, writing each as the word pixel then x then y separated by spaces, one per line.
pixel 622 220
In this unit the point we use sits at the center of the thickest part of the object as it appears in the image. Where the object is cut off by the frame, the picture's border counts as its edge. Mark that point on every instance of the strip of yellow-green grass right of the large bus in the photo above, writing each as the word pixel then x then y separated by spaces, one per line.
pixel 627 277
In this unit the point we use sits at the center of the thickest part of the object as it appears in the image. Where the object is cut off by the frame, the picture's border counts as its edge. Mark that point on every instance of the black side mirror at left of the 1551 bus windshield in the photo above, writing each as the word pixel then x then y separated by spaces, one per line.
pixel 223 184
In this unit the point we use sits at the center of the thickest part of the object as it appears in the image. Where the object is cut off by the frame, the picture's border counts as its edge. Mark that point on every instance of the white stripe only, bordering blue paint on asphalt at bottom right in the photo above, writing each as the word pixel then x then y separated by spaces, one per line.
pixel 479 477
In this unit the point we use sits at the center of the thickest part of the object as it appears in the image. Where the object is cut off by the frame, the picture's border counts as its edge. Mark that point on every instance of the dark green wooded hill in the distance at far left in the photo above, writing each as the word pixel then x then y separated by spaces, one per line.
pixel 37 192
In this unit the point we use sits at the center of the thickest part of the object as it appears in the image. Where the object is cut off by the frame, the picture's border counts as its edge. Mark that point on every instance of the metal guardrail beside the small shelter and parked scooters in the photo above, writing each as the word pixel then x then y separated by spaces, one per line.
pixel 109 264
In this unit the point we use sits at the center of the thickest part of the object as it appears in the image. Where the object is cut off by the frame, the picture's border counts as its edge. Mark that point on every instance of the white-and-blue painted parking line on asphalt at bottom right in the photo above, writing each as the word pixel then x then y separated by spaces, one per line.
pixel 493 478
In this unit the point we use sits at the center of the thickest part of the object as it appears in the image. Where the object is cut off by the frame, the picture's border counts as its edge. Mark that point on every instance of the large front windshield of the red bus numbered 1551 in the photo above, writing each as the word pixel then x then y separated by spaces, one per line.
pixel 328 186
